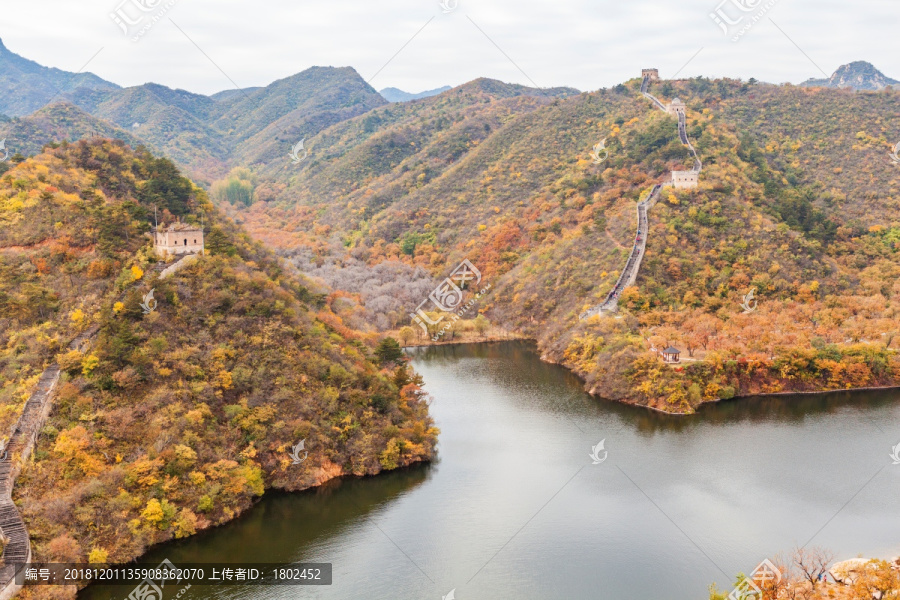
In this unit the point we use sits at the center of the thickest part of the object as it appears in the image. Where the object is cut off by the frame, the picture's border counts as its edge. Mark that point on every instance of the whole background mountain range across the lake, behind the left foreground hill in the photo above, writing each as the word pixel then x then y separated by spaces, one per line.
pixel 798 201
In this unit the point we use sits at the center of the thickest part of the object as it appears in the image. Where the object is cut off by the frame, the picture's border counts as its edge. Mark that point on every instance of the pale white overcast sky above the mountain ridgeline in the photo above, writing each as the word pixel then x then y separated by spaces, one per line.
pixel 209 45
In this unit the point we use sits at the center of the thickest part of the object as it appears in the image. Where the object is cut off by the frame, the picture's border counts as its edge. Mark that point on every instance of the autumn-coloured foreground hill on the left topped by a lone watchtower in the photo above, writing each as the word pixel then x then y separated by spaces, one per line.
pixel 173 421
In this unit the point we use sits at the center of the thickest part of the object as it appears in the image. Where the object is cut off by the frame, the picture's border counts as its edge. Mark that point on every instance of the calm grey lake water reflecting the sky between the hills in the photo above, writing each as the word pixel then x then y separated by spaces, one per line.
pixel 514 507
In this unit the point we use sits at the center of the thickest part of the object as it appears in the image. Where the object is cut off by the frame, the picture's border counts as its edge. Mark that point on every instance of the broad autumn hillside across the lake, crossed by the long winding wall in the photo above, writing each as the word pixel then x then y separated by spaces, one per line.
pixel 506 181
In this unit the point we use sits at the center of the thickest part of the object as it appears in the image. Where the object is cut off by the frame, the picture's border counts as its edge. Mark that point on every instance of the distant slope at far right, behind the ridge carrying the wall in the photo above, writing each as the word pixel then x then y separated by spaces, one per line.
pixel 837 143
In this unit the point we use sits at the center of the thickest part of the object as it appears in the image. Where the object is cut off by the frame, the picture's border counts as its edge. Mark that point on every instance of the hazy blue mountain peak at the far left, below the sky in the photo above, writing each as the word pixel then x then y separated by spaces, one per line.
pixel 34 85
